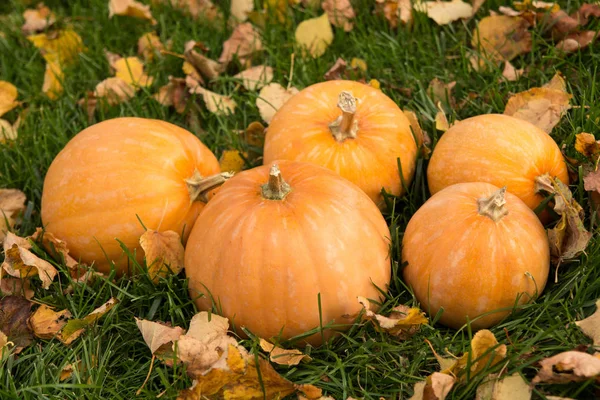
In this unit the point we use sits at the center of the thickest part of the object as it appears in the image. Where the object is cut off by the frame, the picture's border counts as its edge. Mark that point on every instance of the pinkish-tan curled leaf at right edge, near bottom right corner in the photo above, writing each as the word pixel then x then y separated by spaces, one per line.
pixel 569 366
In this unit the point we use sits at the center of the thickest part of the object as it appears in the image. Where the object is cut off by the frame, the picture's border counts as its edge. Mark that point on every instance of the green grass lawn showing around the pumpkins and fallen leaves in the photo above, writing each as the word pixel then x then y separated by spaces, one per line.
pixel 363 363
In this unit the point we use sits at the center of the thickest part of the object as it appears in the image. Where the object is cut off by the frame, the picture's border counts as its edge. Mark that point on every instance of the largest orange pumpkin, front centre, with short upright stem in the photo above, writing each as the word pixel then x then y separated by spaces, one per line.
pixel 281 248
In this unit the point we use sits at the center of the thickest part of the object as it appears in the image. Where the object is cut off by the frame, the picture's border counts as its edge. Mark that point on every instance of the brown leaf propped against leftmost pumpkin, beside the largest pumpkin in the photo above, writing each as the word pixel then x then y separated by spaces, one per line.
pixel 163 252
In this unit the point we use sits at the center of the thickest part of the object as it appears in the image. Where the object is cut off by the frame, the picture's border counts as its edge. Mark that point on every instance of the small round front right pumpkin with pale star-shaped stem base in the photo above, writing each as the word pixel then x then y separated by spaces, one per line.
pixel 475 251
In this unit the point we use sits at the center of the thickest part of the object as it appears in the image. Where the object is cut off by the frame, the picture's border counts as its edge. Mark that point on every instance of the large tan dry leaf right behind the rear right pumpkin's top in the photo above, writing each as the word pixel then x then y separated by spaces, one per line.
pixel 543 107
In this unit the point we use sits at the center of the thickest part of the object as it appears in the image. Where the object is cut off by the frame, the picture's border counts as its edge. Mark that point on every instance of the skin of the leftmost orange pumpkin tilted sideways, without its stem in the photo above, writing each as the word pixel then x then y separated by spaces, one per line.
pixel 114 171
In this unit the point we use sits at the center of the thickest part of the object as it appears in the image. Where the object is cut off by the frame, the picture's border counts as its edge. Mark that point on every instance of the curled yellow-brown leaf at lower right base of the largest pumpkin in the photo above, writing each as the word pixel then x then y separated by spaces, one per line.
pixel 402 322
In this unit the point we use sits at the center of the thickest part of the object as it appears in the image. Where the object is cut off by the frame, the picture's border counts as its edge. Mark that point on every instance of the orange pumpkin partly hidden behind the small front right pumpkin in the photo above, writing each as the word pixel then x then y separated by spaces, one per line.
pixel 498 149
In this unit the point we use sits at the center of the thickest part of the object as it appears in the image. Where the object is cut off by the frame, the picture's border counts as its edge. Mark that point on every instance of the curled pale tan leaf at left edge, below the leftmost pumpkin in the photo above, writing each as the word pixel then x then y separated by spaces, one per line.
pixel 22 263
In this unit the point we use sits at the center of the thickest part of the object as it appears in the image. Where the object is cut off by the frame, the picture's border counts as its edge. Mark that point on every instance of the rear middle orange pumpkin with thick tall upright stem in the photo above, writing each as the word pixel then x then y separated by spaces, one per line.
pixel 350 128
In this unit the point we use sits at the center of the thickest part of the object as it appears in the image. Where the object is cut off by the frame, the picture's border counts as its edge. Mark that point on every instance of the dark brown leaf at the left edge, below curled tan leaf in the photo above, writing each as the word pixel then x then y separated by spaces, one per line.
pixel 14 314
